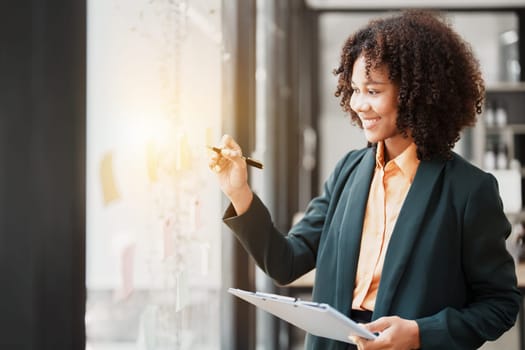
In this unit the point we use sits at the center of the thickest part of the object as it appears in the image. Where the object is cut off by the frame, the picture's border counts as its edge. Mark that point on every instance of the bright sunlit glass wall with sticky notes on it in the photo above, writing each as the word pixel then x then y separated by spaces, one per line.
pixel 153 230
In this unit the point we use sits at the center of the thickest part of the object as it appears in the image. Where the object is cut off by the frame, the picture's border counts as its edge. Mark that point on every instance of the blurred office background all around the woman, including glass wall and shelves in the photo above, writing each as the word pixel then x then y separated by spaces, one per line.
pixel 111 222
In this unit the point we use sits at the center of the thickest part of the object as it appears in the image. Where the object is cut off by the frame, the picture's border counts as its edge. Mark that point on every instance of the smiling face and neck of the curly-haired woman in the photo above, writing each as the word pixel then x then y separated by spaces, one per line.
pixel 374 99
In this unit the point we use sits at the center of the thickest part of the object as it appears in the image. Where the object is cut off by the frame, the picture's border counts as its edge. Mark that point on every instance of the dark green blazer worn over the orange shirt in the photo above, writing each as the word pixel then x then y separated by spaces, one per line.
pixel 446 267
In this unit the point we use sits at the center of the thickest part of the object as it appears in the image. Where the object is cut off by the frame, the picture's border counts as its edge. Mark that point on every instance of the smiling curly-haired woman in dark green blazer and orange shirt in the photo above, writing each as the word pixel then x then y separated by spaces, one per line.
pixel 407 234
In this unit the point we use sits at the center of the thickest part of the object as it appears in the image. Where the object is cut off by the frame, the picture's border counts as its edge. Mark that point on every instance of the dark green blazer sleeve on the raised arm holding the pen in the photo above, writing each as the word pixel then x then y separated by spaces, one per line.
pixel 284 257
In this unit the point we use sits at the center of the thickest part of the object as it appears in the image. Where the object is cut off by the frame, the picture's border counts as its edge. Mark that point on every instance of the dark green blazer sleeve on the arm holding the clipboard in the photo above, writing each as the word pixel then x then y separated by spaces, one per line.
pixel 493 297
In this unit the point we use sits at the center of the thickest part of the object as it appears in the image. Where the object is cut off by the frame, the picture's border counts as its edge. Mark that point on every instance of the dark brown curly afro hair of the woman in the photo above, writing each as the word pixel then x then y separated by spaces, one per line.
pixel 440 84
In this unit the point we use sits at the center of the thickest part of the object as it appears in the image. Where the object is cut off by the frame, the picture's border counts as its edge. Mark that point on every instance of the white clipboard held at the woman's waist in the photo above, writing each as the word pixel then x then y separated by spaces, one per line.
pixel 318 319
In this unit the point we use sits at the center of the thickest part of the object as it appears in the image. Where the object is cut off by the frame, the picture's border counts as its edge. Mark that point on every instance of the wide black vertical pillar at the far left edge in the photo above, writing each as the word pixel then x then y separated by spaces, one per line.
pixel 42 152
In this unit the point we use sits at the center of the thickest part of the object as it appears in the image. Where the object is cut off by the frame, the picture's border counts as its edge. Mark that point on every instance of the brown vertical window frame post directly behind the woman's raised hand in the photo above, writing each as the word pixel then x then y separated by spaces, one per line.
pixel 238 317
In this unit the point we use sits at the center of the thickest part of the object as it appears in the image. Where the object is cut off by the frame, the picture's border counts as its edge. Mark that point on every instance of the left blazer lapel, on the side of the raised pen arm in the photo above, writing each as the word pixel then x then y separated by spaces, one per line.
pixel 351 228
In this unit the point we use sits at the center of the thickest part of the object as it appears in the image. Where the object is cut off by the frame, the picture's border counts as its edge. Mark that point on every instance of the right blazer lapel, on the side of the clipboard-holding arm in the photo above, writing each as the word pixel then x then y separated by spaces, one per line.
pixel 406 230
